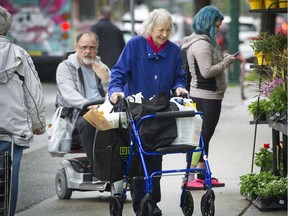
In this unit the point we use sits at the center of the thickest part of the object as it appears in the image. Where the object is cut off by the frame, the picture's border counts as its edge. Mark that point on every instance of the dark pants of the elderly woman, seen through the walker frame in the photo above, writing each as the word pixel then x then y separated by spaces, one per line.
pixel 153 163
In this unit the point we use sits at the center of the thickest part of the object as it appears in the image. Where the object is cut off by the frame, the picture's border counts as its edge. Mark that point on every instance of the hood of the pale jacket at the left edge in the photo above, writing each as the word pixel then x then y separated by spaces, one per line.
pixel 9 59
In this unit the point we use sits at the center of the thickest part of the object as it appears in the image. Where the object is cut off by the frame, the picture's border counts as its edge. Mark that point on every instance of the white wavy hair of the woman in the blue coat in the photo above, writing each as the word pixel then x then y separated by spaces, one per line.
pixel 156 16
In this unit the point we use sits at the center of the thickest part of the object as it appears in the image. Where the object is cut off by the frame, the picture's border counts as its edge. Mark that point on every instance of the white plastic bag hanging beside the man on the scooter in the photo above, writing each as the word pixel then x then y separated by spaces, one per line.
pixel 57 133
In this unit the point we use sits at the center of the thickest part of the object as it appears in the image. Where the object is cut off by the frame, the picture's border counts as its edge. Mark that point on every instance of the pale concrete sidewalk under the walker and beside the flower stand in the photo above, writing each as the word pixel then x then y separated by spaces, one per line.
pixel 230 157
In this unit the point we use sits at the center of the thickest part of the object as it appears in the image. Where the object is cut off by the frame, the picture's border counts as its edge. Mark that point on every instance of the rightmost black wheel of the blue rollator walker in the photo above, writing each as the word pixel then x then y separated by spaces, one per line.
pixel 207 203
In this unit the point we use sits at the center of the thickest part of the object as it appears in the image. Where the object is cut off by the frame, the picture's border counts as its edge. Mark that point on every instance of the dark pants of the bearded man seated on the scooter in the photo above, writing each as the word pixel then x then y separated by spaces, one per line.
pixel 87 135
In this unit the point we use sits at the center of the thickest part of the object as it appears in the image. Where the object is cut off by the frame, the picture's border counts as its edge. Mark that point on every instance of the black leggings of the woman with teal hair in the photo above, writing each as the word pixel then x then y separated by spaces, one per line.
pixel 211 110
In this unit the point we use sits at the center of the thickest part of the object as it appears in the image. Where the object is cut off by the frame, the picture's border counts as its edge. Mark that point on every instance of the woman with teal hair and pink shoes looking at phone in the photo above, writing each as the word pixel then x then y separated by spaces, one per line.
pixel 208 80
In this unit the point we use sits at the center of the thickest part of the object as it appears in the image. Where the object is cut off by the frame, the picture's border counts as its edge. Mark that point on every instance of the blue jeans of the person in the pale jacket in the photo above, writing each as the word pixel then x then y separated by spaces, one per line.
pixel 18 152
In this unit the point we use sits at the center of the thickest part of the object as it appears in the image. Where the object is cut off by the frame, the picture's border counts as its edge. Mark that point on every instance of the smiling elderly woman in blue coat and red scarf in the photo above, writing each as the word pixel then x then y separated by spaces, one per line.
pixel 149 63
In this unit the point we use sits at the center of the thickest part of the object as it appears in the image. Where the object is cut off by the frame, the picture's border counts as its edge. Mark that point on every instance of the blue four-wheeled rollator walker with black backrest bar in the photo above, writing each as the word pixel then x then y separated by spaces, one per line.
pixel 136 148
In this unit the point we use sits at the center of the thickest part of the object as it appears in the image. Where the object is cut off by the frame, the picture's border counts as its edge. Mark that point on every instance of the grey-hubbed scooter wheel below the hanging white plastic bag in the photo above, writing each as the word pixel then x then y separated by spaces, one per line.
pixel 62 191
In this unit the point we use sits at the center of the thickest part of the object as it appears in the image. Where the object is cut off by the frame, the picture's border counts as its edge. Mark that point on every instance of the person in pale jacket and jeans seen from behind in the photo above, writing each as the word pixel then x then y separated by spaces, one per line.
pixel 22 107
